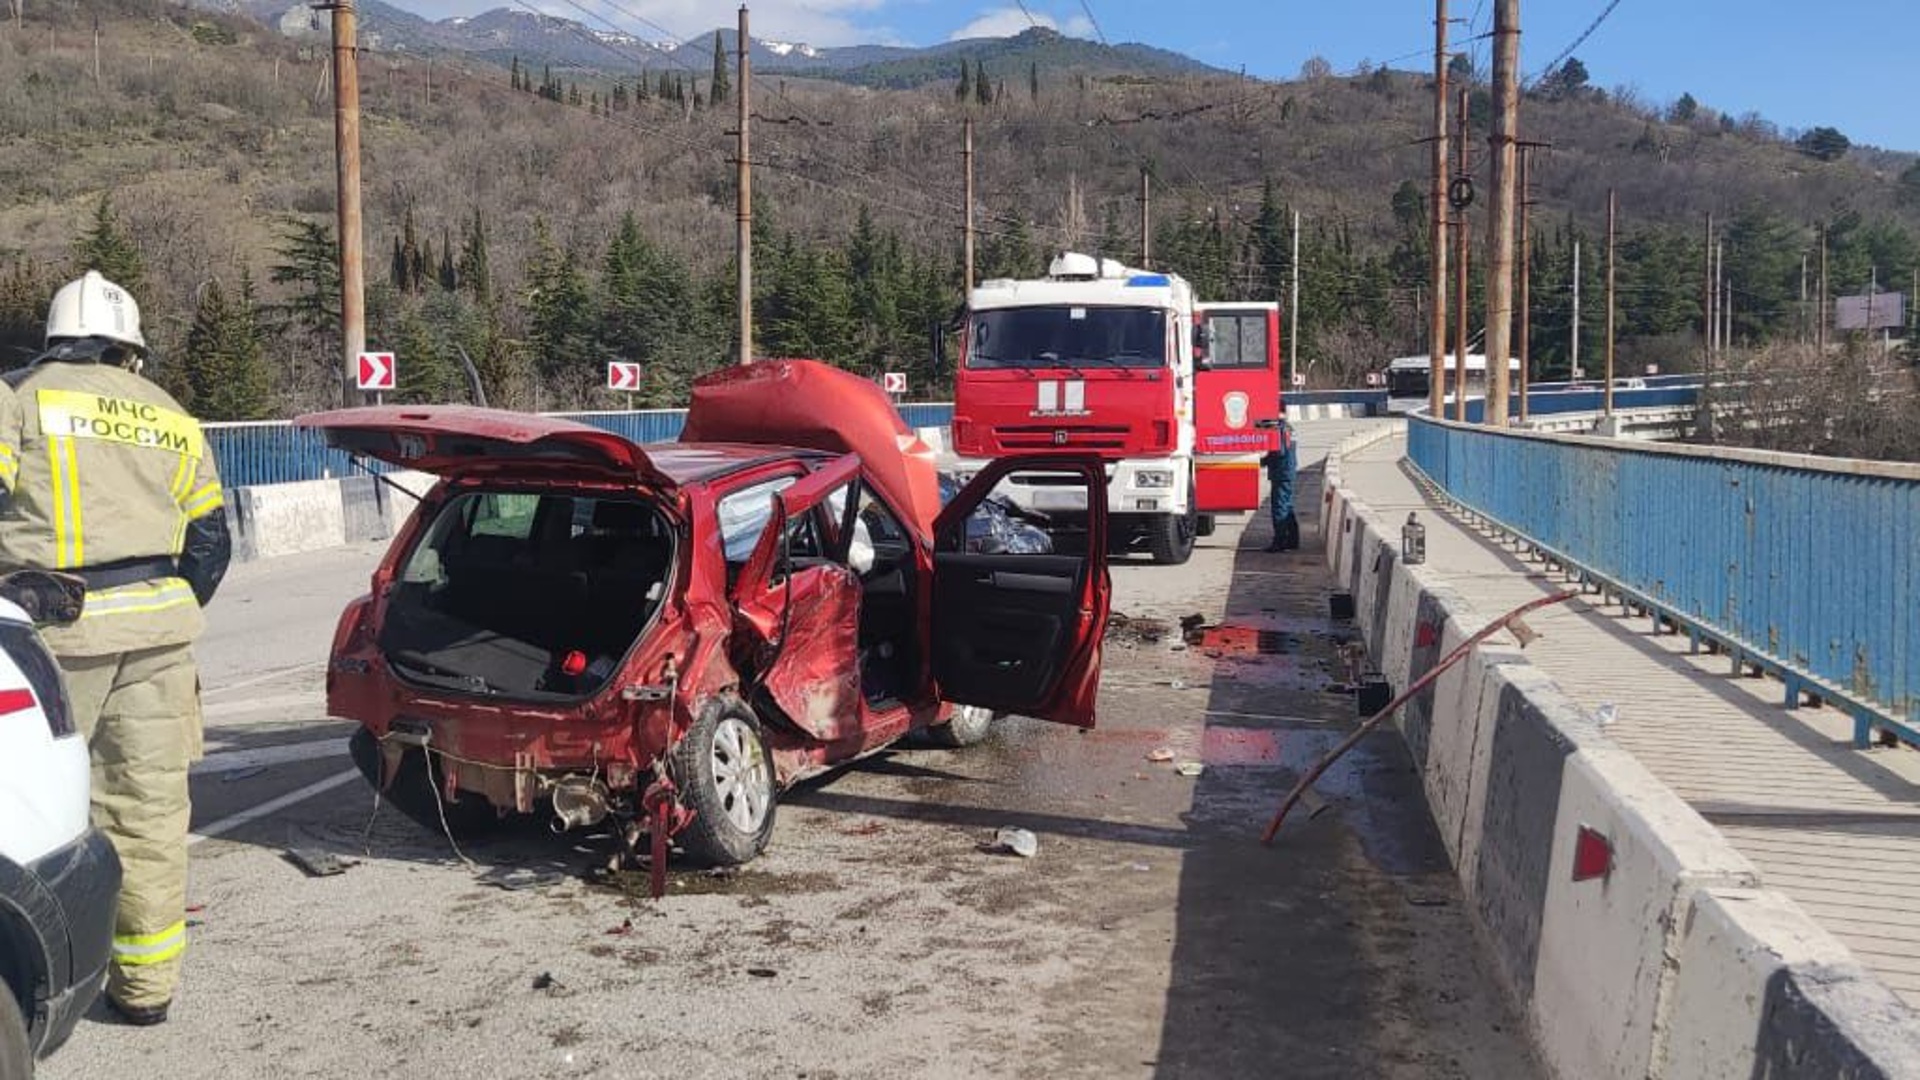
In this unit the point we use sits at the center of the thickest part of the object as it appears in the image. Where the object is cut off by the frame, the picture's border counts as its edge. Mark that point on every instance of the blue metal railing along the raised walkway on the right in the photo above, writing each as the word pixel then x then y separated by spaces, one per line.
pixel 1794 564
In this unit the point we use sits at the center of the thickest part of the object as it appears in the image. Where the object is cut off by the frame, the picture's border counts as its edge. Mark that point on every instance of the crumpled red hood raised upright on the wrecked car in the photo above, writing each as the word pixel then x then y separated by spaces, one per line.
pixel 809 405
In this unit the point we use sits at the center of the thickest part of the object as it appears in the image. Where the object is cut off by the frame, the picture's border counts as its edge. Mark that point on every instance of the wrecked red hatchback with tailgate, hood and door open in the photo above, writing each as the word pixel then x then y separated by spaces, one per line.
pixel 671 635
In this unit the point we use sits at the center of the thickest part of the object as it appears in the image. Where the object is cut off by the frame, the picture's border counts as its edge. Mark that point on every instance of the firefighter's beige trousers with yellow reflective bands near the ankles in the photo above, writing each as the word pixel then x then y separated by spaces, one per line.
pixel 141 718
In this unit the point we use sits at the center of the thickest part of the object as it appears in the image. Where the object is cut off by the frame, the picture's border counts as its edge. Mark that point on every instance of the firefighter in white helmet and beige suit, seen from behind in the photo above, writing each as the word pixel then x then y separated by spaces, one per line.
pixel 110 479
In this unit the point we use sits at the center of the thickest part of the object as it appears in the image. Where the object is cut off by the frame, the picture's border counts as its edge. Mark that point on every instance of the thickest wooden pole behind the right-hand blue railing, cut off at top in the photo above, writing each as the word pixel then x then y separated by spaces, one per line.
pixel 1502 143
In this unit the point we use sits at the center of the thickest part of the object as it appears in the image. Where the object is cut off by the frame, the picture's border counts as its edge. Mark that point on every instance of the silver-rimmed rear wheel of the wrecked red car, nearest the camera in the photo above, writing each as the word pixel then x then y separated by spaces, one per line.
pixel 727 779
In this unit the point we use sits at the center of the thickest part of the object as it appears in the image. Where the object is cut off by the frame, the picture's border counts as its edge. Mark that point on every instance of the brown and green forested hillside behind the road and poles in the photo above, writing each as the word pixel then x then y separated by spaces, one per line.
pixel 546 224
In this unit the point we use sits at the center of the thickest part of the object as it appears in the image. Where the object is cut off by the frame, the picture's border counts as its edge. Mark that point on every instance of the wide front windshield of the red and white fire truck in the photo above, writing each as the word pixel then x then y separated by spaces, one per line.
pixel 1068 337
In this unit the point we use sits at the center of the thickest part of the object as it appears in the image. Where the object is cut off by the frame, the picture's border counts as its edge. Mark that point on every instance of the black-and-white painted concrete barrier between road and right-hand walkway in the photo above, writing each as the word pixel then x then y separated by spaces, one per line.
pixel 1675 966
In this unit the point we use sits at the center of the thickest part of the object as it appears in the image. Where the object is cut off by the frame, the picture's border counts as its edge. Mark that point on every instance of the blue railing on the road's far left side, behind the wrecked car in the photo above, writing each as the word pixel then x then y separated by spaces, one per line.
pixel 274 453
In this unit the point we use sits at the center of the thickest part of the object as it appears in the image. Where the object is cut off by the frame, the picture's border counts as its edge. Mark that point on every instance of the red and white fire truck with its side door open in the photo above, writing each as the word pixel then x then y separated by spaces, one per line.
pixel 1182 397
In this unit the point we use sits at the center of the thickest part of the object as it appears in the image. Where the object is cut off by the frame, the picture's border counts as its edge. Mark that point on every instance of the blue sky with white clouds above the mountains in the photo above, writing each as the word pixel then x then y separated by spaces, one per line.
pixel 1842 64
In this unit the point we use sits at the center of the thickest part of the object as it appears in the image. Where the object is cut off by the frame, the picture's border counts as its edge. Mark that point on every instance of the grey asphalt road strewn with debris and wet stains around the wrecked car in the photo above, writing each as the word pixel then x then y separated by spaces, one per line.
pixel 1151 935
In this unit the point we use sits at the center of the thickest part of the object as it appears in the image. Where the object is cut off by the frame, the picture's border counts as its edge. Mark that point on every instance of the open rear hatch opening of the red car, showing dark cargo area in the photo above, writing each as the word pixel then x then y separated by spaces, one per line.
pixel 527 595
